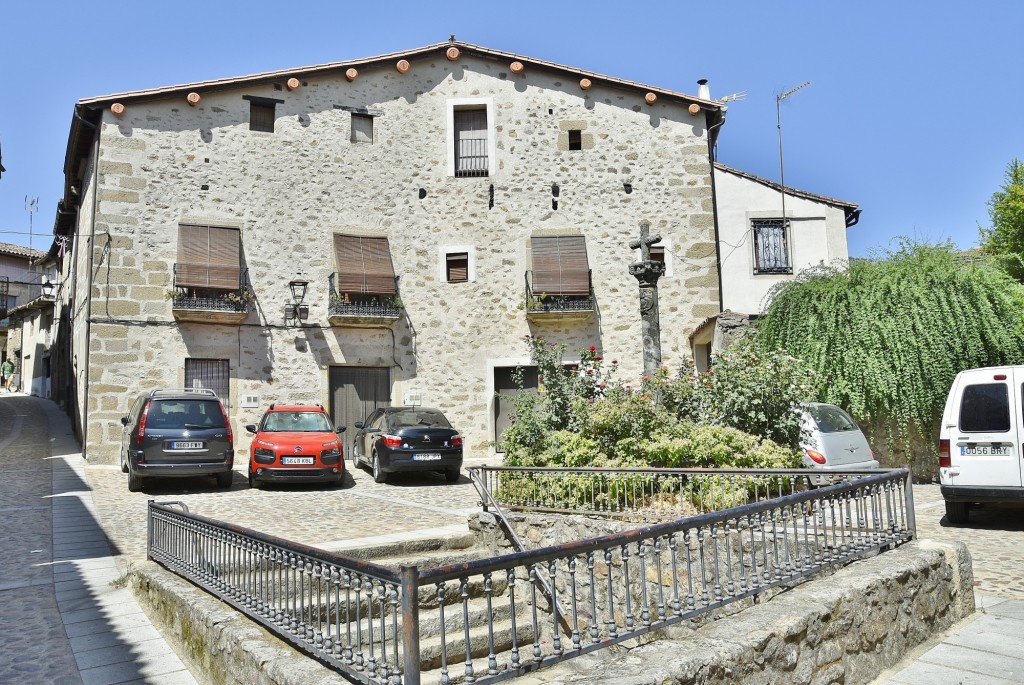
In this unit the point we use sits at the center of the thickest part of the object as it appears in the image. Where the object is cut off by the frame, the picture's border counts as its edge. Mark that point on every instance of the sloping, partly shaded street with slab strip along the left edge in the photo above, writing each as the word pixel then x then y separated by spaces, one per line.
pixel 65 619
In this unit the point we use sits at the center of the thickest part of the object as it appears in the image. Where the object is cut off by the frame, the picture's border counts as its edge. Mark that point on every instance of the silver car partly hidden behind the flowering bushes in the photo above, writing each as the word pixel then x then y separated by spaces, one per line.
pixel 833 442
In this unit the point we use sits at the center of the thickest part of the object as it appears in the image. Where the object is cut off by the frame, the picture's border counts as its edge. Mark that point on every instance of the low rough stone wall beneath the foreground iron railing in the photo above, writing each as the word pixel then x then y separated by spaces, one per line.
pixel 847 630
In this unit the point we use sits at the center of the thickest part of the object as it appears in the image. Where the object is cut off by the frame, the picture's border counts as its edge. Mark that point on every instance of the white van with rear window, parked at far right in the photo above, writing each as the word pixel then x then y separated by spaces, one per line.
pixel 980 440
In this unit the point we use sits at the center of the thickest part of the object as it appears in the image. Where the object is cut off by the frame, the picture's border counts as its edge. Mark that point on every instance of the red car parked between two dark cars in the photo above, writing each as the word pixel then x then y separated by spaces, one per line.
pixel 295 444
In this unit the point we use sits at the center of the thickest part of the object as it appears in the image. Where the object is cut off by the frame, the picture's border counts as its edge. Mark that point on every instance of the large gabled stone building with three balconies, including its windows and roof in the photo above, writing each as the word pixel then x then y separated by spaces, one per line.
pixel 382 231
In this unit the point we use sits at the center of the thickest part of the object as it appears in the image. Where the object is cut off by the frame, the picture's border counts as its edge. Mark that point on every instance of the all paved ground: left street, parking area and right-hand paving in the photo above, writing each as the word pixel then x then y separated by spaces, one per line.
pixel 65 623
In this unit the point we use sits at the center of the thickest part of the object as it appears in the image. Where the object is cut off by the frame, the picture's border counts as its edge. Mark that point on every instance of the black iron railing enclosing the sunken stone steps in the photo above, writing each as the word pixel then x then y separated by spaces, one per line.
pixel 494 619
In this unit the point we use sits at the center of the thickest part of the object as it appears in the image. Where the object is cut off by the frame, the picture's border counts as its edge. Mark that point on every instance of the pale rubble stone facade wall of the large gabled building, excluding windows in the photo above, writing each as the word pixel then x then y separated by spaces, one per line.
pixel 165 163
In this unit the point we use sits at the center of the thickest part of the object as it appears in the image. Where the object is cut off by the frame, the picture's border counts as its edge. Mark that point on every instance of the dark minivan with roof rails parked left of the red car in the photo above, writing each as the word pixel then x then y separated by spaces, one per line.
pixel 177 433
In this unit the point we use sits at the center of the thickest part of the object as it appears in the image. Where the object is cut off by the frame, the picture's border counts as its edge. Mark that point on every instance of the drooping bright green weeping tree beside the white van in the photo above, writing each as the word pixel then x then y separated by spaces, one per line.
pixel 887 336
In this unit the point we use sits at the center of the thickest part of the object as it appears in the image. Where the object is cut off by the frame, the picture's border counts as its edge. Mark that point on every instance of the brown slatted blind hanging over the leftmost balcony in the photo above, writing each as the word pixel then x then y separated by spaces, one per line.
pixel 208 258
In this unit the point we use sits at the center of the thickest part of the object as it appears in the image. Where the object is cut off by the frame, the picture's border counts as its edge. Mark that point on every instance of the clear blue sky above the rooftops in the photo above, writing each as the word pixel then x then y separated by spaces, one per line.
pixel 914 110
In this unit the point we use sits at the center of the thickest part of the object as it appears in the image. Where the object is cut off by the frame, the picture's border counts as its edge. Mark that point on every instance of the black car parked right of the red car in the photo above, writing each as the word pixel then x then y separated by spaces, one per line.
pixel 408 439
